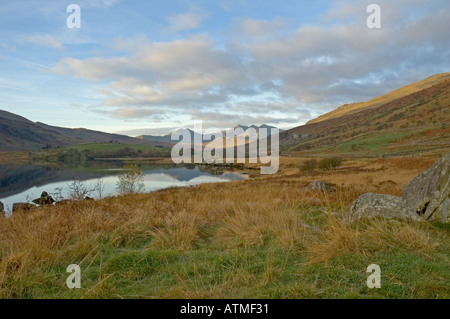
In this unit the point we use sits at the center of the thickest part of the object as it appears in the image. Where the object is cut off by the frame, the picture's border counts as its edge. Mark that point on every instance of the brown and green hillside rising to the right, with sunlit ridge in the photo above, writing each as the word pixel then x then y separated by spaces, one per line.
pixel 412 123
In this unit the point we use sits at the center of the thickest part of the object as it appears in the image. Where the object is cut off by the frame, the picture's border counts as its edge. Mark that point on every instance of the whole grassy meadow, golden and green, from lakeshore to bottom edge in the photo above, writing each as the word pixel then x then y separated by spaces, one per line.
pixel 243 239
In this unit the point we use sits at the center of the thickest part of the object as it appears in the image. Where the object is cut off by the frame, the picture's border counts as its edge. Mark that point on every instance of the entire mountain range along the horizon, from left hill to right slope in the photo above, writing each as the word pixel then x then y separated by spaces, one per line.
pixel 414 118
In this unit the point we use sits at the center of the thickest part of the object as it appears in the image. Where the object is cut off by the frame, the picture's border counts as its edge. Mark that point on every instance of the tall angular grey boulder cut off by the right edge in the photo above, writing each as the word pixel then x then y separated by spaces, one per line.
pixel 428 194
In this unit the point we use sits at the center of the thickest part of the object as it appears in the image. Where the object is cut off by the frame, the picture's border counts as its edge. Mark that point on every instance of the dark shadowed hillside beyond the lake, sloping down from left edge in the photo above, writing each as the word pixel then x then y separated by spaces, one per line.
pixel 20 134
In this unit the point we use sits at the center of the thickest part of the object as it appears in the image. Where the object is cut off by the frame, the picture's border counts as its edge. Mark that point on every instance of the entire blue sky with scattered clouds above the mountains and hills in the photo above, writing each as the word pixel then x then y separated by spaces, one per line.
pixel 148 67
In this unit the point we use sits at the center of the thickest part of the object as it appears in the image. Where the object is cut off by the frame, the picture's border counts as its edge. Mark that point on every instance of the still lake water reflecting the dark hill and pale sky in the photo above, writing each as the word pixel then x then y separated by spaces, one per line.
pixel 23 183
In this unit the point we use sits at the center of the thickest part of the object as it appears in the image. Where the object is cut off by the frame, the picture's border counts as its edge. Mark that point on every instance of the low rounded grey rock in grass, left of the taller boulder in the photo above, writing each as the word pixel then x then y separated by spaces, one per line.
pixel 386 206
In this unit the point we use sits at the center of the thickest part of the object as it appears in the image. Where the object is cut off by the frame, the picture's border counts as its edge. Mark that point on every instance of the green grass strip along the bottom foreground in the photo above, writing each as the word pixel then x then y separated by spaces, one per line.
pixel 241 273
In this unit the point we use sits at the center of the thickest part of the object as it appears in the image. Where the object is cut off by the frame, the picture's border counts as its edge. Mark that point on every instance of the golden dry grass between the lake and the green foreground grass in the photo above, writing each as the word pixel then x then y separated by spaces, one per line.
pixel 273 211
